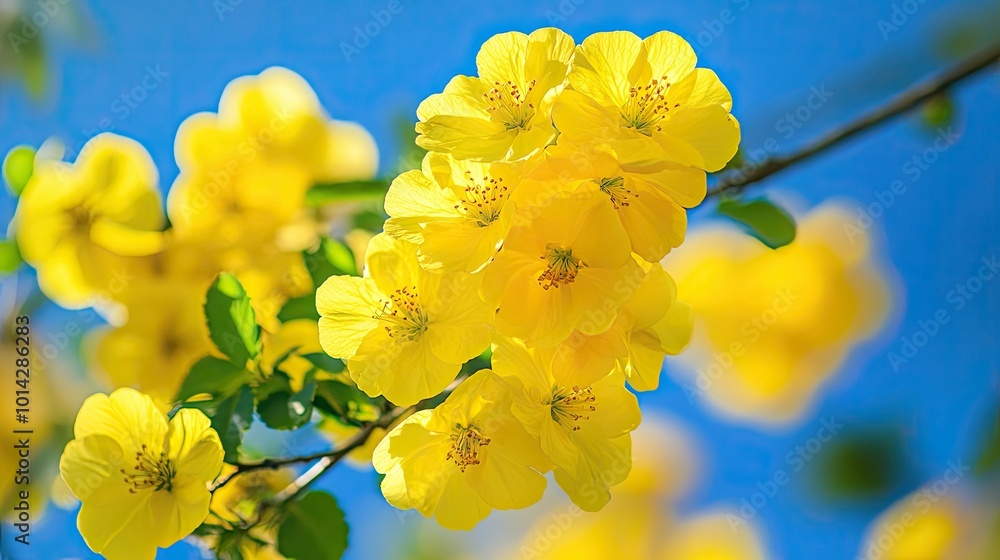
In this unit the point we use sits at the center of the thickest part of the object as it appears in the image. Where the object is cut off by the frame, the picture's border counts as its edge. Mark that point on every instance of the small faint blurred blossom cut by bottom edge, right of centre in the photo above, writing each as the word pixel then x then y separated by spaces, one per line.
pixel 711 537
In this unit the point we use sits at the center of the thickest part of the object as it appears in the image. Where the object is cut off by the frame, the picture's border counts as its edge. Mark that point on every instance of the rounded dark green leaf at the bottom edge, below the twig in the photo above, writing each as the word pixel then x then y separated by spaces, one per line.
pixel 314 529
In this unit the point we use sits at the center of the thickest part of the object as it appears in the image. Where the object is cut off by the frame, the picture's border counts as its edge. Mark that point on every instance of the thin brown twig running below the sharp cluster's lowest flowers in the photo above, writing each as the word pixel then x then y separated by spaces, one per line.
pixel 327 459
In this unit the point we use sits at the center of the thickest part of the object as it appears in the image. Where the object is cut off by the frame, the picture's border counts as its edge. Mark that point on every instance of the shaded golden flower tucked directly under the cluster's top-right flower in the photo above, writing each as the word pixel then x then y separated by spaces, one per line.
pixel 648 199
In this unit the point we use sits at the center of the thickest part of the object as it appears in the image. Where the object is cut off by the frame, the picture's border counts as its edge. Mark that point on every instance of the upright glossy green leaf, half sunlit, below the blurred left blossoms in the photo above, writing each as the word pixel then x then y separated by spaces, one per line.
pixel 231 322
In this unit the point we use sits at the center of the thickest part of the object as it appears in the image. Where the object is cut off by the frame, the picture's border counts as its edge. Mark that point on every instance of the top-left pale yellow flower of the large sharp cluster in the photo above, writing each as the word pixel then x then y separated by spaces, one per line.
pixel 505 112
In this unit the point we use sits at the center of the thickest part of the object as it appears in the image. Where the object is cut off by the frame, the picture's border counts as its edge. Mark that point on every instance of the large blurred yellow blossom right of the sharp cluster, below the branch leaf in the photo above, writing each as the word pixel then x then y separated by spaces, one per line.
pixel 773 325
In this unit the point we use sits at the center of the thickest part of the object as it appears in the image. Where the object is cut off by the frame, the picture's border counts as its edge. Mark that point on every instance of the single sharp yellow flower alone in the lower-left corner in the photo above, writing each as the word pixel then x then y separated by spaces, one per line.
pixel 143 481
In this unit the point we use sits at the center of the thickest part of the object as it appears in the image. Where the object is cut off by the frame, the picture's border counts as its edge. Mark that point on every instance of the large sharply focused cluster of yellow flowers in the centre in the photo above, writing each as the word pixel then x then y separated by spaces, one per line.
pixel 556 180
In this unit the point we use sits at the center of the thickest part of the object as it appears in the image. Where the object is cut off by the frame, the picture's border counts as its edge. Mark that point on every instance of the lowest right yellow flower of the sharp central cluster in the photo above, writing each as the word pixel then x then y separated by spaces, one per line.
pixel 583 429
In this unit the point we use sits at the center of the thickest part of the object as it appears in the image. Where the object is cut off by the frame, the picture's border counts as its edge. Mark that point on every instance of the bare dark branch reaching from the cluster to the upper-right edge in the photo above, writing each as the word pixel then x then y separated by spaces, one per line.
pixel 908 100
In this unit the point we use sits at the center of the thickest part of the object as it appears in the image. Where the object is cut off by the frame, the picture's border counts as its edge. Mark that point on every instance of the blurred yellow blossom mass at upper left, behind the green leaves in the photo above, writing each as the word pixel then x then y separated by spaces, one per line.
pixel 96 233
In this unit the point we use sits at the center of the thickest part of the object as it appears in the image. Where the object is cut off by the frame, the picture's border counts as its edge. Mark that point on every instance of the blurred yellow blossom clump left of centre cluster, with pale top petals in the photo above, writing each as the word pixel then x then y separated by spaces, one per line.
pixel 245 171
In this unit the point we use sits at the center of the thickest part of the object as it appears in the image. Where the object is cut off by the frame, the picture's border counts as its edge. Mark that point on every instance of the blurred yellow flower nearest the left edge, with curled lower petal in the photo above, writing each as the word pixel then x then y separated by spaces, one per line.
pixel 76 223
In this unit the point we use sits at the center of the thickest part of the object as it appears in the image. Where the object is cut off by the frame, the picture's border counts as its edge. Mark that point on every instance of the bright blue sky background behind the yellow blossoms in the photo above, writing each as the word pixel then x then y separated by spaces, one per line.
pixel 769 57
